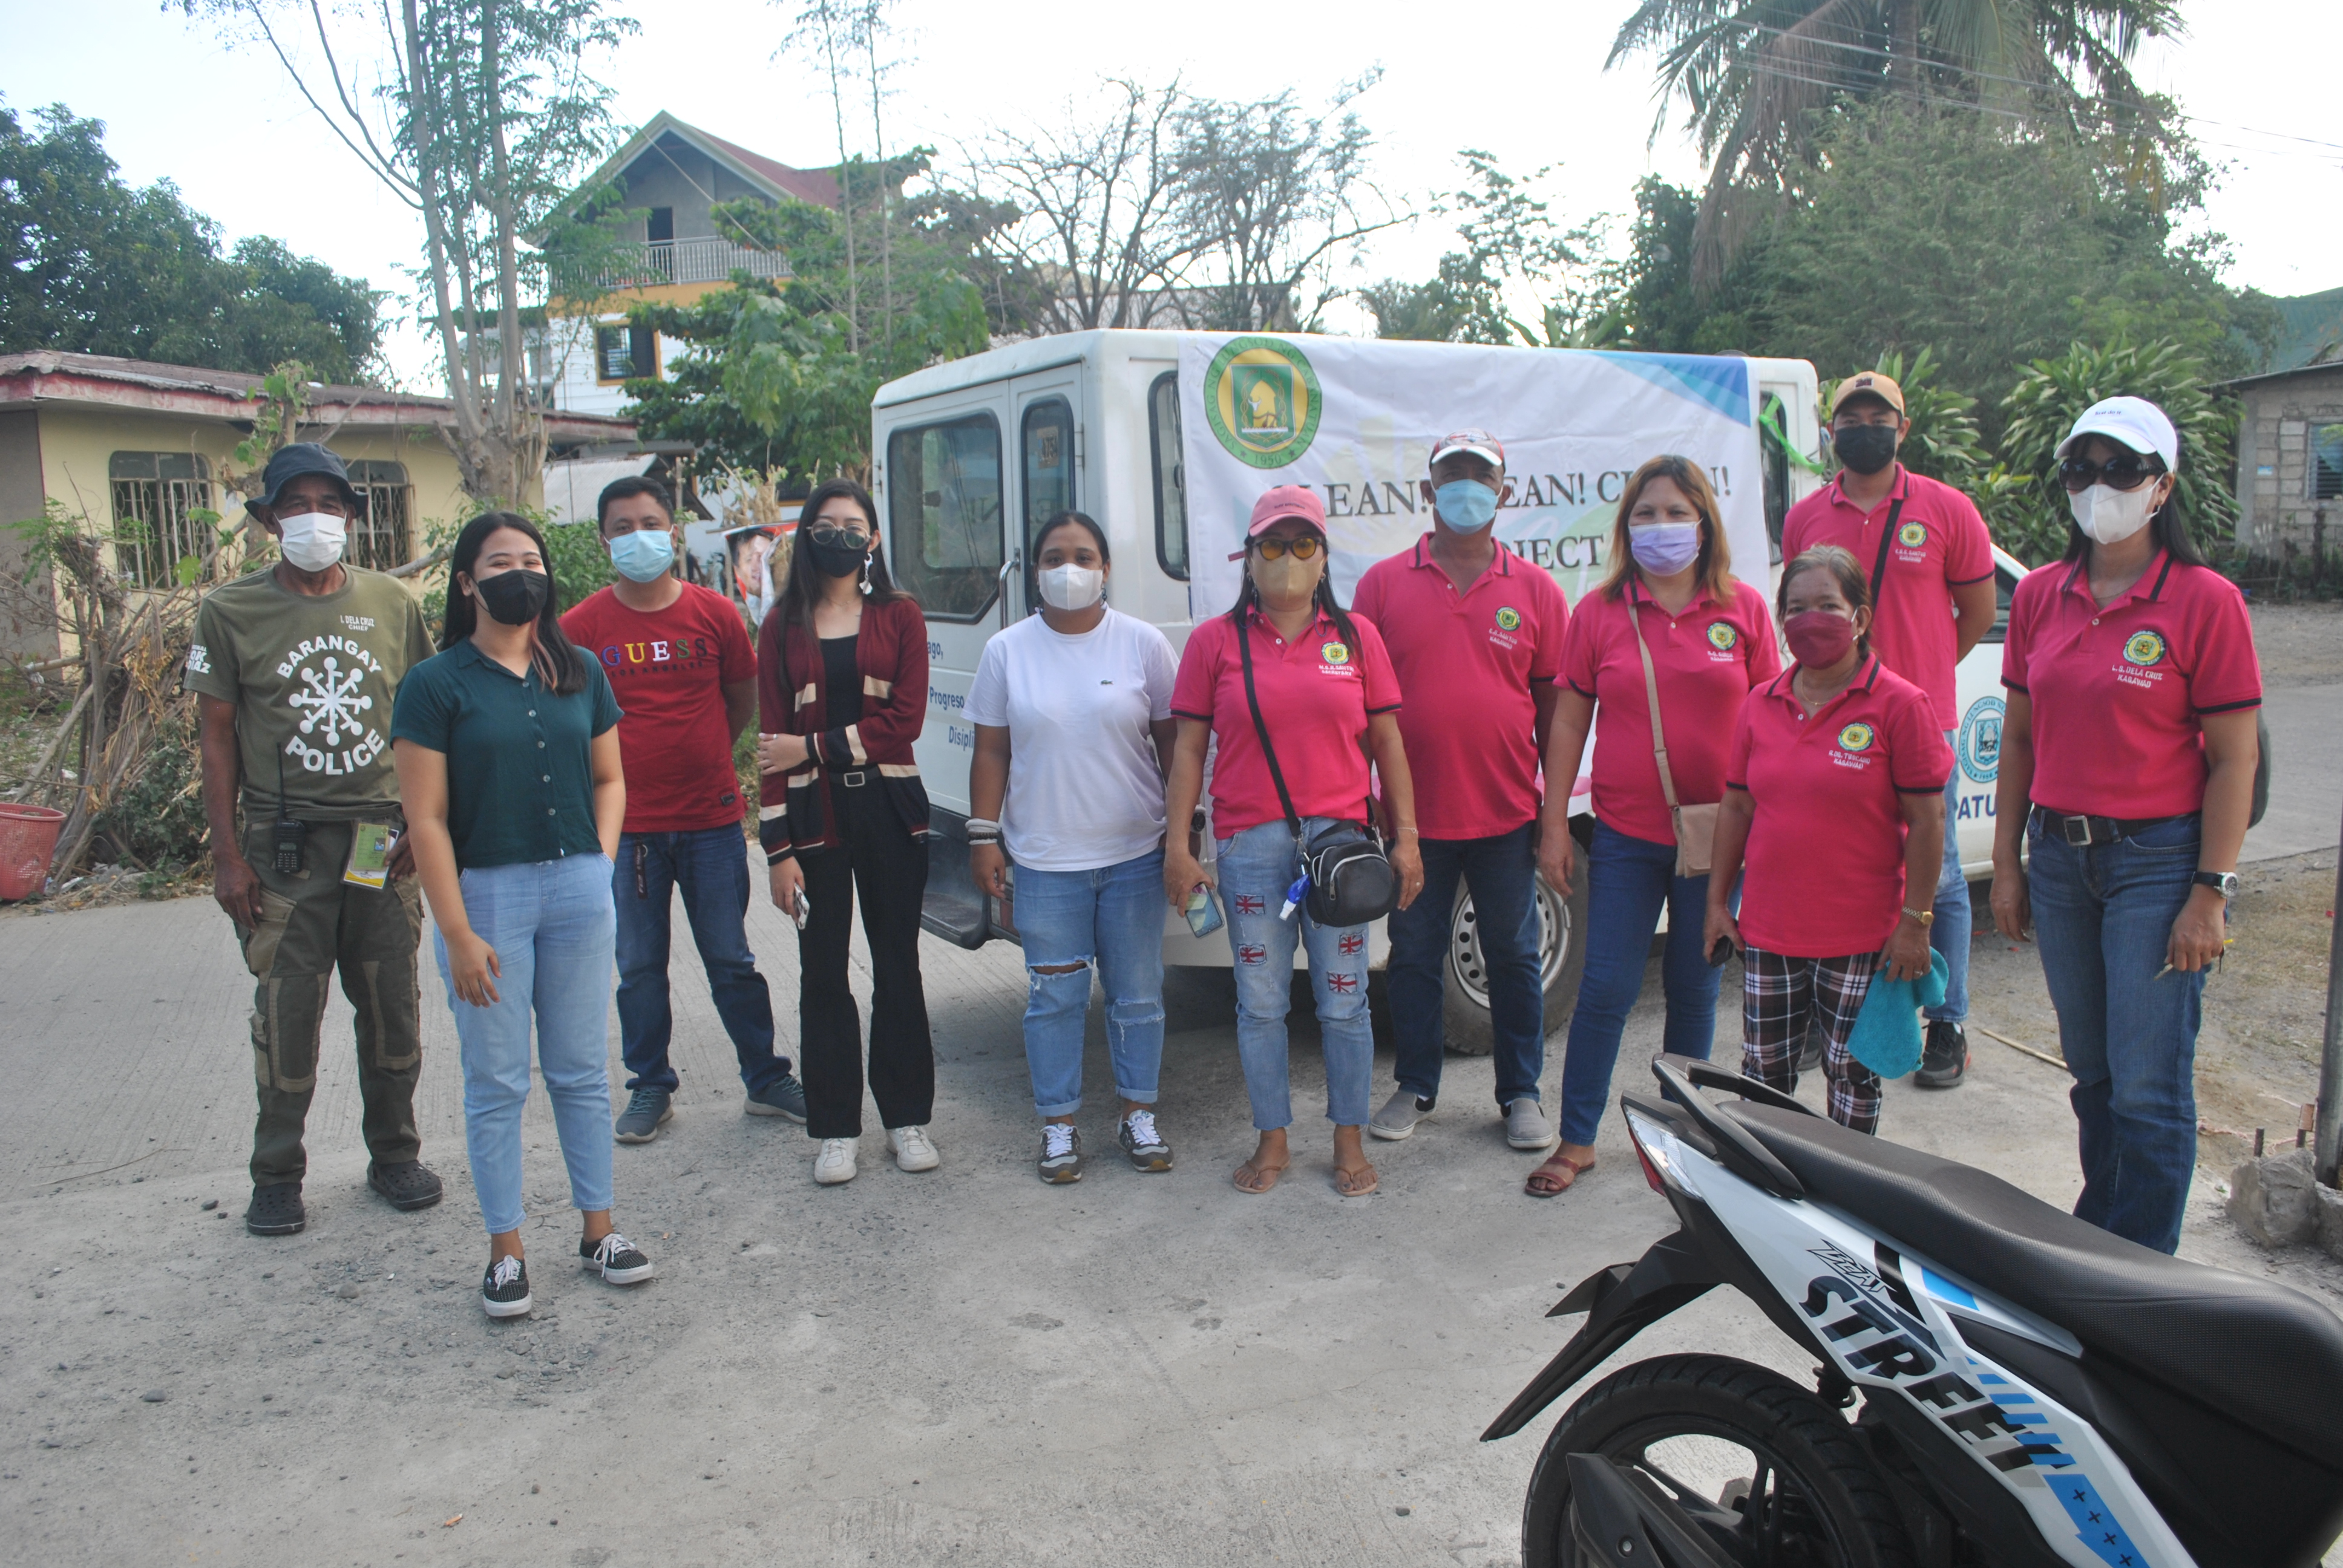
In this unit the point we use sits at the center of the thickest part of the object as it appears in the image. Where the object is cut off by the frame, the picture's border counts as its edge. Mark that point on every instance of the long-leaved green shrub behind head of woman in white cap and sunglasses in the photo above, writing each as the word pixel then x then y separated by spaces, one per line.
pixel 2054 395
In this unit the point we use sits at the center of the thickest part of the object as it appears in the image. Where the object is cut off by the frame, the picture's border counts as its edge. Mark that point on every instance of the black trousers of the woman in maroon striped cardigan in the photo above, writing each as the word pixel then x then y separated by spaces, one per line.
pixel 882 861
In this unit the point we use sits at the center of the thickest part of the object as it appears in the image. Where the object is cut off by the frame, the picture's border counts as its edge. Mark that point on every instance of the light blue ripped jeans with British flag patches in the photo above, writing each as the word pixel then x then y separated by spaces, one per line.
pixel 1257 868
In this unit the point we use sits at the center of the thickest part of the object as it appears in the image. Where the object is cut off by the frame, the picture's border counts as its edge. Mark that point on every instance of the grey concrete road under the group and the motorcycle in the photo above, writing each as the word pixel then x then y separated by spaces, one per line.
pixel 910 1370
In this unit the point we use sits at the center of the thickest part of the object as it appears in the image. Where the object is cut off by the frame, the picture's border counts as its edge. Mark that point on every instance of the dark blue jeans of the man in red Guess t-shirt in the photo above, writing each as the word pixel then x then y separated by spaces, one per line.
pixel 711 868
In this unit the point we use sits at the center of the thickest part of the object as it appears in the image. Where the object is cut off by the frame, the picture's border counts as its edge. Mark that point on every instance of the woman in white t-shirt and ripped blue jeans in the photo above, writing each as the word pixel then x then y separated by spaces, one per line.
pixel 1074 735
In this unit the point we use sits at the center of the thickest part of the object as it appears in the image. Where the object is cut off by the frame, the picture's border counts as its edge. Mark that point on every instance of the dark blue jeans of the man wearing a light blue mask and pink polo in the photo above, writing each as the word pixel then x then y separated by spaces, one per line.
pixel 1503 880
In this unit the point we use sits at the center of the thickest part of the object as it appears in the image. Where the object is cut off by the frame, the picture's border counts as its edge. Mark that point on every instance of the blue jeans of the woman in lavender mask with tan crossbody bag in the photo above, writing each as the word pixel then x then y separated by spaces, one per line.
pixel 1627 882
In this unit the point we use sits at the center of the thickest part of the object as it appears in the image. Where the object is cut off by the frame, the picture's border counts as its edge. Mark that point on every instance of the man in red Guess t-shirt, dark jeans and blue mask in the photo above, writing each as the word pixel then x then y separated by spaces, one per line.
pixel 685 674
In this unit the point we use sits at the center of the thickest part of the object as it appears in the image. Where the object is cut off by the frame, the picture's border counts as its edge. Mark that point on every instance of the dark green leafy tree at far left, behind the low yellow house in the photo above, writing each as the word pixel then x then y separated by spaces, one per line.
pixel 95 266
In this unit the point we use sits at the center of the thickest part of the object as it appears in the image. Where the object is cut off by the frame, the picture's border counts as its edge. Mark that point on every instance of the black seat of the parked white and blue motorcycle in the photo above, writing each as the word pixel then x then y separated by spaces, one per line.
pixel 2250 1349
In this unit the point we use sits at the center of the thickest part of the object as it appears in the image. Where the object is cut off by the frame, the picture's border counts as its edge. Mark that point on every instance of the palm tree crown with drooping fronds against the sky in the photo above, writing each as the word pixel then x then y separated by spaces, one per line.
pixel 1758 79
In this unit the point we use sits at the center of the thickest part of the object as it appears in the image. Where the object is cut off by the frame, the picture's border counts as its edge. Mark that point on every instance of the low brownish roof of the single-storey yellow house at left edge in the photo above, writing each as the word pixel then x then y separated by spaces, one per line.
pixel 46 376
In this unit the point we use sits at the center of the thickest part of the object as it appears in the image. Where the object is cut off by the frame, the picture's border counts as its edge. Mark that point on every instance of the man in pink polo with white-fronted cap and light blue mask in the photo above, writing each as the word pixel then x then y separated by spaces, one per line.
pixel 1477 639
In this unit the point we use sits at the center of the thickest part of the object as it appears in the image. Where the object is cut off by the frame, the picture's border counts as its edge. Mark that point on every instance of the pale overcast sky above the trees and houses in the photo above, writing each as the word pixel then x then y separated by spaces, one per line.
pixel 1519 81
